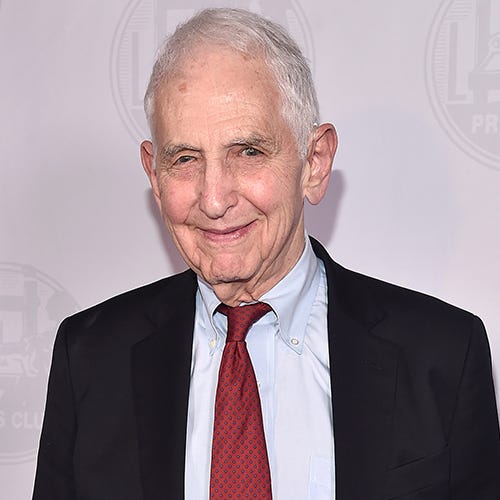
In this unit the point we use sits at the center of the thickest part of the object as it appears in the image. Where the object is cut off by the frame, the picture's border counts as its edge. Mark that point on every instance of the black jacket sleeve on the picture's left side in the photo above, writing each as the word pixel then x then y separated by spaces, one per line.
pixel 54 476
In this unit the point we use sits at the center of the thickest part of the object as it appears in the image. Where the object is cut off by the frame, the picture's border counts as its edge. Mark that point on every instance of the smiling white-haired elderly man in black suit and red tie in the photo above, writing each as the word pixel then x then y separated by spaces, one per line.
pixel 345 387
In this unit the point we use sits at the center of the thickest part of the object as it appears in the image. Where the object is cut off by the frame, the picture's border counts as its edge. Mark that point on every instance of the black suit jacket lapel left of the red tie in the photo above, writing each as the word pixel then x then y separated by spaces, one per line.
pixel 161 366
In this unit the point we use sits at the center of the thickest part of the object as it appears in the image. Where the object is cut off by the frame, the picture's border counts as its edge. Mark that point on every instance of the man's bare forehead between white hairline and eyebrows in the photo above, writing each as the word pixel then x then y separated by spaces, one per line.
pixel 216 83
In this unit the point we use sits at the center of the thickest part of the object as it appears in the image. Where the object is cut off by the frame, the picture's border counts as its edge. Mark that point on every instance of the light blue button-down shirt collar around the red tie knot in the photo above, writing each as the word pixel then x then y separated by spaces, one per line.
pixel 291 299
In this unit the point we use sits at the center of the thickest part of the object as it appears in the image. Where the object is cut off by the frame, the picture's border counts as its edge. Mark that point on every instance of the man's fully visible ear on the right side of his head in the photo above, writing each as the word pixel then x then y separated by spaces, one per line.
pixel 319 162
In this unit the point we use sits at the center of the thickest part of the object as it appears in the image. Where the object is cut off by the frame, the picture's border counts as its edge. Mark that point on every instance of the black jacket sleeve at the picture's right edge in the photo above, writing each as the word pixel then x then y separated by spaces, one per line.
pixel 474 438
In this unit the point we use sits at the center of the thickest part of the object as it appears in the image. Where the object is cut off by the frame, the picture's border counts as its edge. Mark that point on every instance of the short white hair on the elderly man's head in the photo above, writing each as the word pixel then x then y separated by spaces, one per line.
pixel 252 35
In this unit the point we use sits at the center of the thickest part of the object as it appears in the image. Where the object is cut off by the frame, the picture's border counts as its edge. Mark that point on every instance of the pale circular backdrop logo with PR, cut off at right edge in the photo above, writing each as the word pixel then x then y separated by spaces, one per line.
pixel 463 75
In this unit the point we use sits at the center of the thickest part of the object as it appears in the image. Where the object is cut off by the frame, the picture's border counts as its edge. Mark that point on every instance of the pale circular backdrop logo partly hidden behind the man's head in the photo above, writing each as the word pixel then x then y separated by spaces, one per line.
pixel 142 28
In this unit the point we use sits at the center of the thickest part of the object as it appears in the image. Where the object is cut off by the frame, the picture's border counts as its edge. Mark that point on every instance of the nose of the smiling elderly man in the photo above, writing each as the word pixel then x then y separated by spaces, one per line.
pixel 217 190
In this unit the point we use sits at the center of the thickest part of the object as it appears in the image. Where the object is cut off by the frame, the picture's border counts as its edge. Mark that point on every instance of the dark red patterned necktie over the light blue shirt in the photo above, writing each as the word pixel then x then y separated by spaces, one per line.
pixel 240 468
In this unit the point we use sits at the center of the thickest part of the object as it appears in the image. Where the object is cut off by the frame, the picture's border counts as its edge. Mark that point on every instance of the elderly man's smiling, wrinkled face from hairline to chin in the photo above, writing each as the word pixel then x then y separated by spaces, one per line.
pixel 227 174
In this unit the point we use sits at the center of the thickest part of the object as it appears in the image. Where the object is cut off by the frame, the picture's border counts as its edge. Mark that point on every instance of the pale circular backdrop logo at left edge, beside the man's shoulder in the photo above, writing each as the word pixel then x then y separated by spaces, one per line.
pixel 31 307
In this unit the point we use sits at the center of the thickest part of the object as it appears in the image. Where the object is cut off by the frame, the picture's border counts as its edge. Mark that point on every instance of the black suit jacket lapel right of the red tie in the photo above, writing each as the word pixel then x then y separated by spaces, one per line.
pixel 363 378
